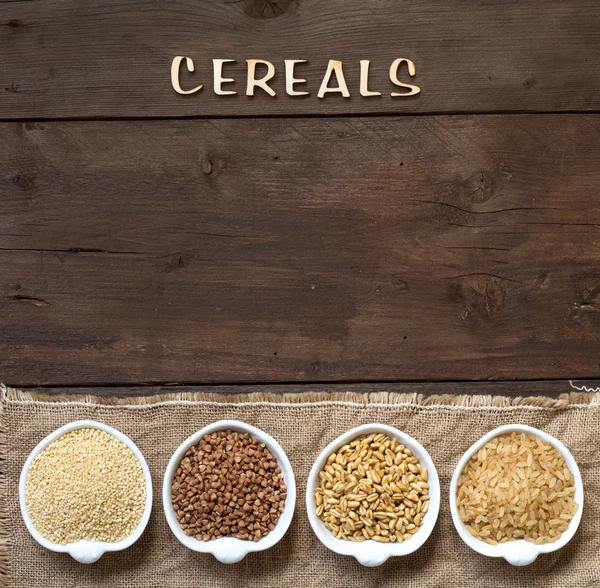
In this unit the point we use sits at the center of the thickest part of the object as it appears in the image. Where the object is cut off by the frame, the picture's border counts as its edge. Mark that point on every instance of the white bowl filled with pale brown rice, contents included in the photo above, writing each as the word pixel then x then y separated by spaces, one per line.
pixel 515 494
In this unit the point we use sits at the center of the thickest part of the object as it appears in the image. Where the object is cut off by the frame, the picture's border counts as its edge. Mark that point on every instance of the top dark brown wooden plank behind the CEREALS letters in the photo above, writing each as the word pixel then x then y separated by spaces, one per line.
pixel 111 58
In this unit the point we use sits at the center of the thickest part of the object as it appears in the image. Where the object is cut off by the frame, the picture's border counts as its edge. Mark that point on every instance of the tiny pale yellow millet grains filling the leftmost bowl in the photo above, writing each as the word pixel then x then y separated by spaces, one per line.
pixel 85 485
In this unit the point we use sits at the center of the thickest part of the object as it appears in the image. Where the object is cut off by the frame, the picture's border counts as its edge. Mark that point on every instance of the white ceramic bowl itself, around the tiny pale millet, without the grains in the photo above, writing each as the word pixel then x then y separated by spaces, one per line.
pixel 86 551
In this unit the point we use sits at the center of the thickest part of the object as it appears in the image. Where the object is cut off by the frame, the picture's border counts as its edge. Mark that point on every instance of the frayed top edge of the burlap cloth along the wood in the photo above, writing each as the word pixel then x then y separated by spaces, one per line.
pixel 567 400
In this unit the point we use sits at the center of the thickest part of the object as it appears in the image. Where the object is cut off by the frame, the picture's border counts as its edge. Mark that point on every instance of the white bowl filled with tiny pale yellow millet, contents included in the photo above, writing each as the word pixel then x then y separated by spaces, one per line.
pixel 85 490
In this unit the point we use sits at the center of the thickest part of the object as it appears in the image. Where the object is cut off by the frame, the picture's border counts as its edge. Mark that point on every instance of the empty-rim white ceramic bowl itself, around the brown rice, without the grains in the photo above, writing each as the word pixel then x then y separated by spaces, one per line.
pixel 519 552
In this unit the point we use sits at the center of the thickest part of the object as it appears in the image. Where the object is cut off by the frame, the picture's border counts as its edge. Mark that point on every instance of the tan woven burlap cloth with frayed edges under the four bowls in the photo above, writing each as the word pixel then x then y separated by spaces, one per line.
pixel 303 425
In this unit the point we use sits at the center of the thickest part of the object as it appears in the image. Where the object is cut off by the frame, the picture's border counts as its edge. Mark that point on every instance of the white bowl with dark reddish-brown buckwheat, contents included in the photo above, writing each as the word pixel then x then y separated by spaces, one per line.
pixel 229 490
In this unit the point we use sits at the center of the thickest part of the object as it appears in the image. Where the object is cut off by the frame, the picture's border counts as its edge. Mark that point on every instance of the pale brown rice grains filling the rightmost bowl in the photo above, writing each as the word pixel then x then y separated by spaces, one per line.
pixel 516 487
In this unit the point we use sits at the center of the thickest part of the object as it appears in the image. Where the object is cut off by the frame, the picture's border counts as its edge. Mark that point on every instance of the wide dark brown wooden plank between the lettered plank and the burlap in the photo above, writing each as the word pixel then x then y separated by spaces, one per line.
pixel 462 247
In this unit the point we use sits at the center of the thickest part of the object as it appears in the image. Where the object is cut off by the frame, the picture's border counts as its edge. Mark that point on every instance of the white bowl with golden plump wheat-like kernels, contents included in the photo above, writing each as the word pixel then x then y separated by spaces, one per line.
pixel 373 493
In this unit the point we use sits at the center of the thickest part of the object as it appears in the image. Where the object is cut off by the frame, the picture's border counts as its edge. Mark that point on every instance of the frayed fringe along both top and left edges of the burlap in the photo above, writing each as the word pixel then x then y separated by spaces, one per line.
pixel 8 395
